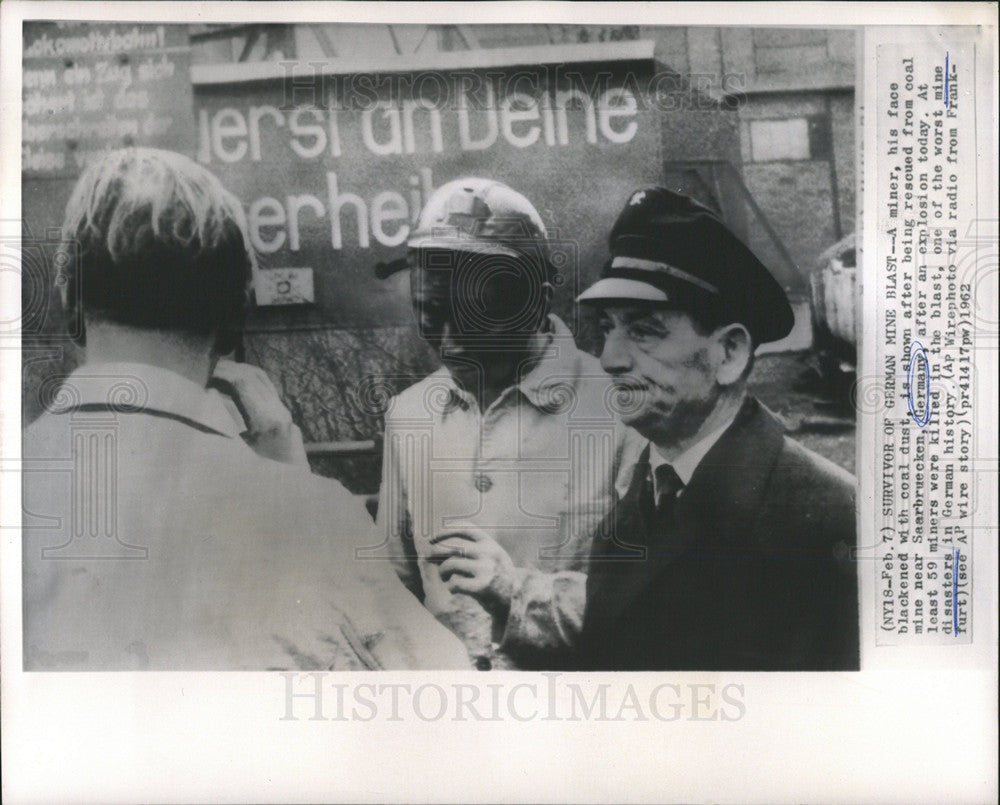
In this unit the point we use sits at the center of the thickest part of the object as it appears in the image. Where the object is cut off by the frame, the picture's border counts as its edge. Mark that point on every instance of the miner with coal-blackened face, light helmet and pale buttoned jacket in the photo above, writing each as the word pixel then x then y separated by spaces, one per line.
pixel 487 502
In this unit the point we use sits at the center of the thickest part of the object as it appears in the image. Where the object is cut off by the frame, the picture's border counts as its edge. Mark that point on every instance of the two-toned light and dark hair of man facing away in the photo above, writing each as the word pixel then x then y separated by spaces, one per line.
pixel 161 244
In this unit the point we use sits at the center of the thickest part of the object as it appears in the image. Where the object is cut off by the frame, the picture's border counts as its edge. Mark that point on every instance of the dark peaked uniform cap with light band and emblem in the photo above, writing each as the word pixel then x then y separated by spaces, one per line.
pixel 665 245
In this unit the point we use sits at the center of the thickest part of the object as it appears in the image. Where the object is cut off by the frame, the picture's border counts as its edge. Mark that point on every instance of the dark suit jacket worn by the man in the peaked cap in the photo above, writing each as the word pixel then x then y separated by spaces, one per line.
pixel 756 575
